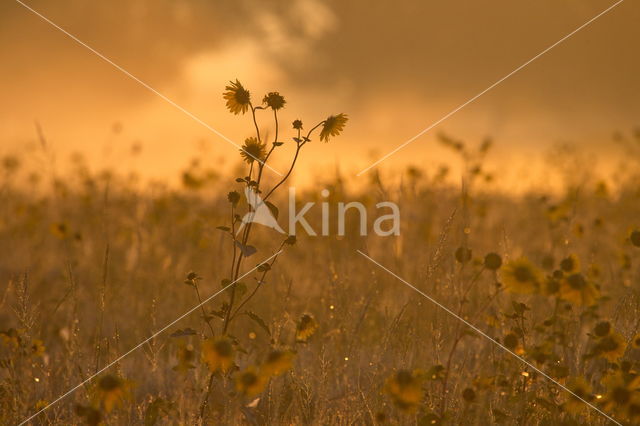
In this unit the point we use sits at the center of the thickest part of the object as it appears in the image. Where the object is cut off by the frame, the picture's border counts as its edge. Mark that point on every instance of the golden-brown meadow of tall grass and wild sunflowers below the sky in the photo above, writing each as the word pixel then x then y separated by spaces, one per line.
pixel 93 263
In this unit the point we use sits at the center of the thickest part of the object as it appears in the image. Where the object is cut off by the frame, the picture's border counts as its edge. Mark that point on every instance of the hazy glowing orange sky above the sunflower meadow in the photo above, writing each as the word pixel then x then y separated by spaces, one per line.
pixel 394 67
